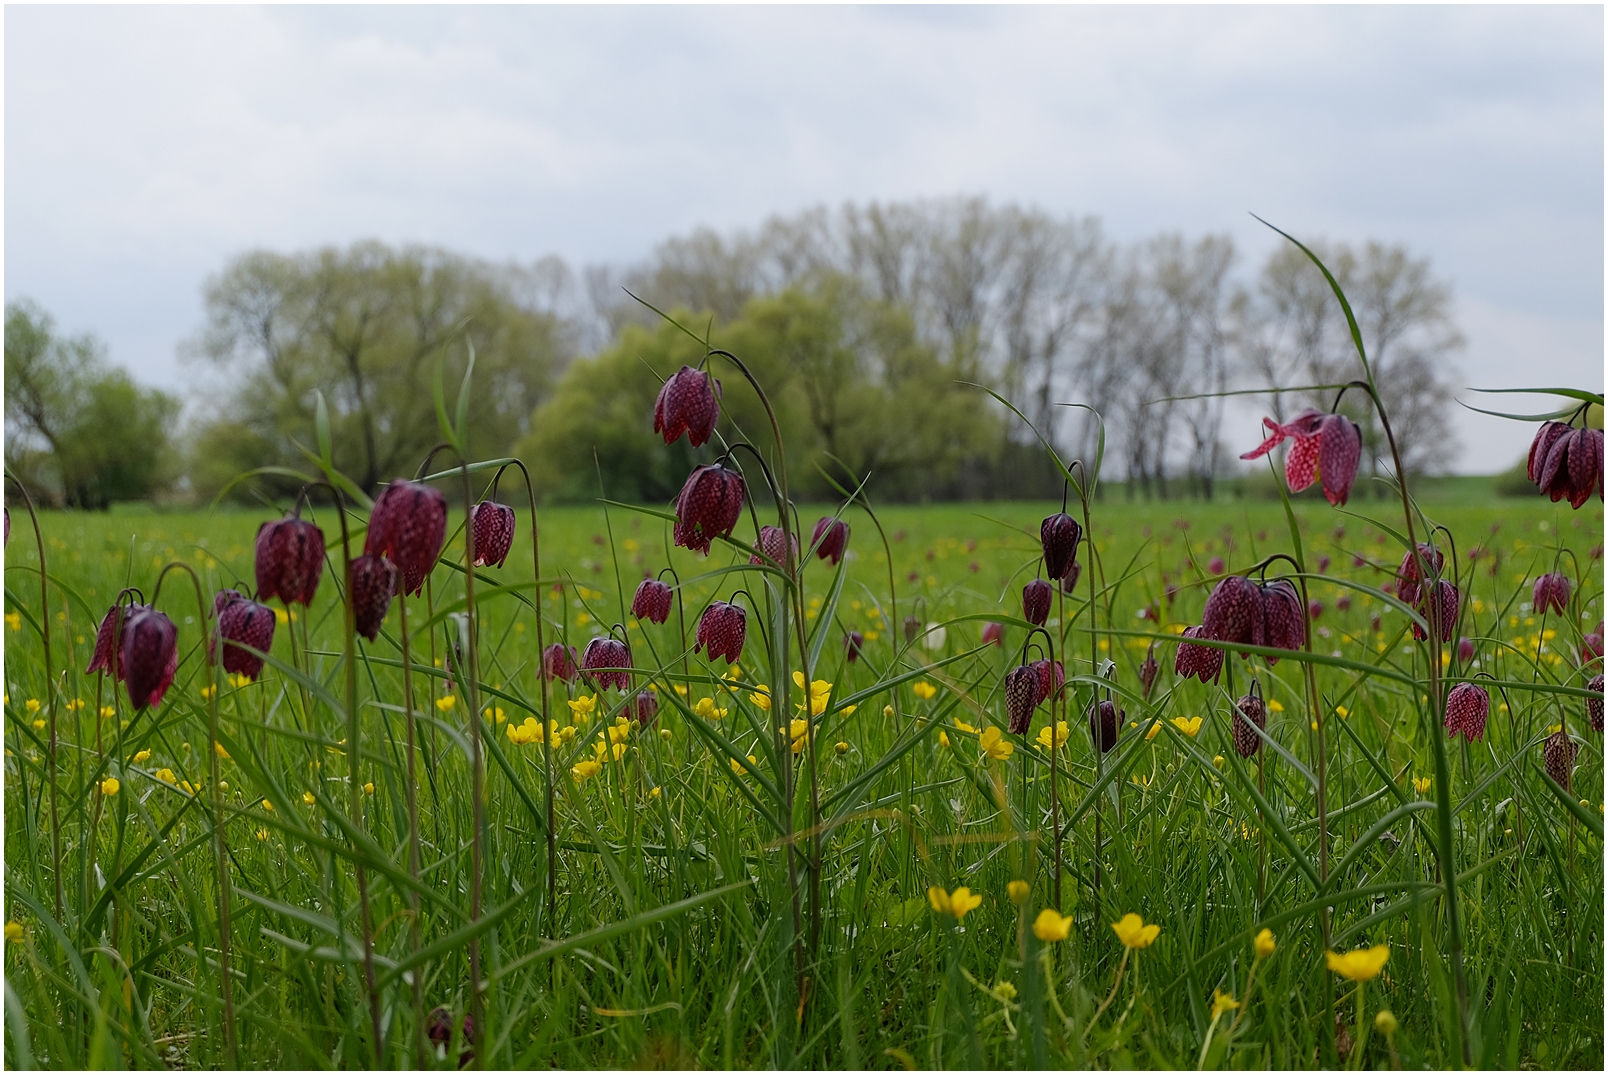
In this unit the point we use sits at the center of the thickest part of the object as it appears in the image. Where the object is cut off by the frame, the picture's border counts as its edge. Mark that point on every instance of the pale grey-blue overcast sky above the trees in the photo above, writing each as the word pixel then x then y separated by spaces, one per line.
pixel 146 147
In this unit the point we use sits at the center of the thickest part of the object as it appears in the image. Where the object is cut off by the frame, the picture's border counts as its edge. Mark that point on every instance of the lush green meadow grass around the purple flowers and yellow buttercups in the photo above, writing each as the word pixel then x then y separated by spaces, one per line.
pixel 128 971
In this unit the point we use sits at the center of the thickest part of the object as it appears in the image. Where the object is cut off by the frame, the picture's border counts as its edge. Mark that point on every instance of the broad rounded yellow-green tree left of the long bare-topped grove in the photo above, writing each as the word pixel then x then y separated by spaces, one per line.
pixel 367 327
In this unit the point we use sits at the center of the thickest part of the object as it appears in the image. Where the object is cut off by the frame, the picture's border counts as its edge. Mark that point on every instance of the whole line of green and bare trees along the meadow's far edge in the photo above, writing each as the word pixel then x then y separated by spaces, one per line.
pixel 874 322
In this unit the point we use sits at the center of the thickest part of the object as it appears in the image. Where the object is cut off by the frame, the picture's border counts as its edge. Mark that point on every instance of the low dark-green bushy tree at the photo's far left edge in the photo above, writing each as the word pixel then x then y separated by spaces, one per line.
pixel 80 431
